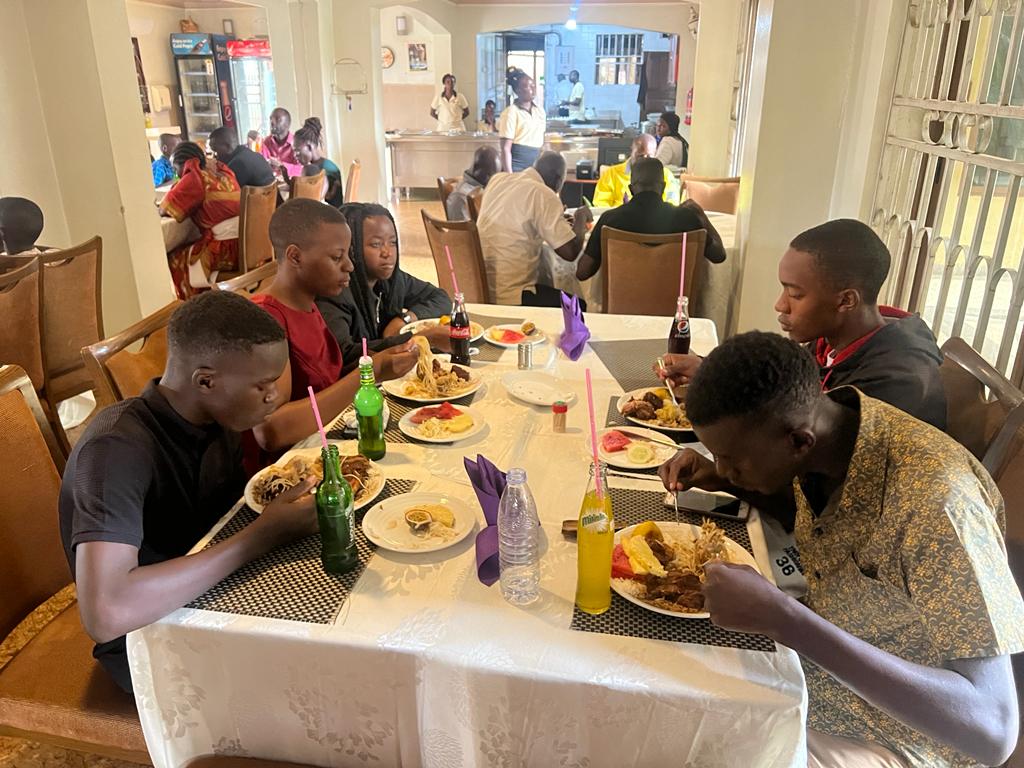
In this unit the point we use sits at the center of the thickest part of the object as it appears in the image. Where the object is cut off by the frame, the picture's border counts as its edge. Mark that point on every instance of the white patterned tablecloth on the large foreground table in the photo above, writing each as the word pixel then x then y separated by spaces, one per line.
pixel 428 667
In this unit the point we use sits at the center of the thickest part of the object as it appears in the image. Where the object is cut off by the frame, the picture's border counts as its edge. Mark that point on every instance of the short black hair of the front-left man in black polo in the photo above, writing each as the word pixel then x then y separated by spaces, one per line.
pixel 219 322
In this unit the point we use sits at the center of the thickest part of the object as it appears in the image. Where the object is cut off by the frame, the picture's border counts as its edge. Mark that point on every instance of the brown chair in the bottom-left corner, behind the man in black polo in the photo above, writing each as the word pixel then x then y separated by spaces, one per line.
pixel 52 690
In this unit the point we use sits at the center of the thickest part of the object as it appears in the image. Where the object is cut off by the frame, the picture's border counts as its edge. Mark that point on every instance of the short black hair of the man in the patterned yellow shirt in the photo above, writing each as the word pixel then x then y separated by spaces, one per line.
pixel 753 374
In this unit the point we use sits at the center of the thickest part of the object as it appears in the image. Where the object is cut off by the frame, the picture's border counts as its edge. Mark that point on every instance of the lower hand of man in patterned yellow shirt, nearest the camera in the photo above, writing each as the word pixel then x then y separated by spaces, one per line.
pixel 739 599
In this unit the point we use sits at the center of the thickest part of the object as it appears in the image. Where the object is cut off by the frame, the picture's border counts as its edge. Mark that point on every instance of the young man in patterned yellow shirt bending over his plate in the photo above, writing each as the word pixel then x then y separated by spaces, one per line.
pixel 912 613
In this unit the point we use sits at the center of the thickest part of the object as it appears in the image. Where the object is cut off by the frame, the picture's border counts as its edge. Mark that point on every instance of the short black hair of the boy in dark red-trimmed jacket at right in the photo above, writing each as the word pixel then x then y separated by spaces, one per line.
pixel 849 254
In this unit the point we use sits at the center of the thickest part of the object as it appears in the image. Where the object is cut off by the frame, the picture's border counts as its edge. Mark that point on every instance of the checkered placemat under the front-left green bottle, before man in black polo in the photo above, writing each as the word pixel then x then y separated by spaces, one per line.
pixel 290 582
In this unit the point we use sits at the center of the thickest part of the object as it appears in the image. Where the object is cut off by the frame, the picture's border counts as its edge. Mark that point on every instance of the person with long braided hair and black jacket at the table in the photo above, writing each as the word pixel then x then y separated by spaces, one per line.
pixel 380 298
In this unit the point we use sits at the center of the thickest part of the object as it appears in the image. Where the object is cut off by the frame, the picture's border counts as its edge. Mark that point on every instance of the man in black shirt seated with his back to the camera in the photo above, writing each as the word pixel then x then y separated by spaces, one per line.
pixel 648 214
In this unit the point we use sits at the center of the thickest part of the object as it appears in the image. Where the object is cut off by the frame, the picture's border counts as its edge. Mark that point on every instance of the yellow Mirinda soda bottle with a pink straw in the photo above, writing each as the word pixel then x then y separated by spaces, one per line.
pixel 595 538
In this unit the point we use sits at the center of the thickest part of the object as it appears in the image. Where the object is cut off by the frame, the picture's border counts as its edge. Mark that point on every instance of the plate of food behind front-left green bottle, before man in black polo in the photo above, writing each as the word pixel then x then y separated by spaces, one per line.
pixel 366 478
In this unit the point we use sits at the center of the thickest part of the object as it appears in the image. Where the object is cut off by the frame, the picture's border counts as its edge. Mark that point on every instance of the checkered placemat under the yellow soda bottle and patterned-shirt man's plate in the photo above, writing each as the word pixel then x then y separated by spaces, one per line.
pixel 632 507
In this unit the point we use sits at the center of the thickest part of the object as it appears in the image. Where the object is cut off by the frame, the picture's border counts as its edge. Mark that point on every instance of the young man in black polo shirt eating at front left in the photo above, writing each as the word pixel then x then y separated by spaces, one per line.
pixel 153 475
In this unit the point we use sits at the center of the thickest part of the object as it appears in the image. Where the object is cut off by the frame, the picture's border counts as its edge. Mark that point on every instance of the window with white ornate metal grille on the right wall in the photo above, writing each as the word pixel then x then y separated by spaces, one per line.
pixel 949 203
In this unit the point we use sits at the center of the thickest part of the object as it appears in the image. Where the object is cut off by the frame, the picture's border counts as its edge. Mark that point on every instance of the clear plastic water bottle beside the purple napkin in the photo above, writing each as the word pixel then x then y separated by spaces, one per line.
pixel 519 545
